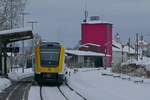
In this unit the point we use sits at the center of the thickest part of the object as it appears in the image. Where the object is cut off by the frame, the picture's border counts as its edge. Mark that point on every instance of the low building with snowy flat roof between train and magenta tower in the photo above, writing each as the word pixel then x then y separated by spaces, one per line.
pixel 78 58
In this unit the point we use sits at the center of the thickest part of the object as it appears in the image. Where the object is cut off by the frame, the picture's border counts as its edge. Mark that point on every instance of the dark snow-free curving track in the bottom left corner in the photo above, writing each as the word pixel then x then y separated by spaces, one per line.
pixel 17 91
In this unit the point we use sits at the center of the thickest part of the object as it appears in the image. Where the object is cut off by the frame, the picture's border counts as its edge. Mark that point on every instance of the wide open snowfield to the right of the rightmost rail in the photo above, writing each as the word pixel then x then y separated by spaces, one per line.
pixel 94 86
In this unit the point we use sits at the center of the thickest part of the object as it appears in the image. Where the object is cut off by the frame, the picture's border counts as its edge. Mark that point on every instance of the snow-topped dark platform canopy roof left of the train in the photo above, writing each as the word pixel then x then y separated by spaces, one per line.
pixel 16 34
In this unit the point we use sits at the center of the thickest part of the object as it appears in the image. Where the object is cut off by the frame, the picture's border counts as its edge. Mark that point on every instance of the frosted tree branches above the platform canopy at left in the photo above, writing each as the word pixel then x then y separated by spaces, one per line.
pixel 10 11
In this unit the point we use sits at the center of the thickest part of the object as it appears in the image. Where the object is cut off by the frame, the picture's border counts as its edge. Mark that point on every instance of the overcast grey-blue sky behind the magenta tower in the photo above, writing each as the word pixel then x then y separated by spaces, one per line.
pixel 59 20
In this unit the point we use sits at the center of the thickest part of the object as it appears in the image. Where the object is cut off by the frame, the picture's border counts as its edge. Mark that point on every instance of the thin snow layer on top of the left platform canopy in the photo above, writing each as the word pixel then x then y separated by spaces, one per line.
pixel 16 30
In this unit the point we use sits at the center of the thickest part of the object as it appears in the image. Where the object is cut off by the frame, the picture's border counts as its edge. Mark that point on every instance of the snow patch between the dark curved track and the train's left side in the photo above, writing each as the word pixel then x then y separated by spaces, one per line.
pixel 17 74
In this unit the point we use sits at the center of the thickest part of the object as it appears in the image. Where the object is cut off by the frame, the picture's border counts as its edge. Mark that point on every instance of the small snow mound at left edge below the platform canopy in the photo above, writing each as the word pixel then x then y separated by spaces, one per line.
pixel 4 83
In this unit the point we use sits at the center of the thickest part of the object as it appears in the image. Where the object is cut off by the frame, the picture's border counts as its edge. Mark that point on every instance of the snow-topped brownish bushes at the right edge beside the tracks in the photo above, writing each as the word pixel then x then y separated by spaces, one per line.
pixel 134 68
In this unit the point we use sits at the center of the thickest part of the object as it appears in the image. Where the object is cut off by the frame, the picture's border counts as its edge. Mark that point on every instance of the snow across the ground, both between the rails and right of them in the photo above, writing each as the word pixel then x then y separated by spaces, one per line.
pixel 91 84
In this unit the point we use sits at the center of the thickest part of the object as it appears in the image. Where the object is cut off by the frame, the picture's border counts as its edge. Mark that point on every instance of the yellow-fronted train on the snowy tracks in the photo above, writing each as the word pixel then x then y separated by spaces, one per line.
pixel 49 63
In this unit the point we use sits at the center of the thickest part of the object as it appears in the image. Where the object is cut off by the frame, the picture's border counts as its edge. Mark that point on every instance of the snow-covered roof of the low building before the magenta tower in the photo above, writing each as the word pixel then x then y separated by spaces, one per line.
pixel 84 53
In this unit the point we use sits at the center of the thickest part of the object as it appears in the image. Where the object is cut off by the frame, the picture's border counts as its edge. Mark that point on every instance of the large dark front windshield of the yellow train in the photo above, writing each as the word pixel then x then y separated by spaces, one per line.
pixel 49 57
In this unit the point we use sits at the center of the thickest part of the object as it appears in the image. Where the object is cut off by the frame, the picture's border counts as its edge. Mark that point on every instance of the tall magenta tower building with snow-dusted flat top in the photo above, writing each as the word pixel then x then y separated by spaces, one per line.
pixel 98 32
